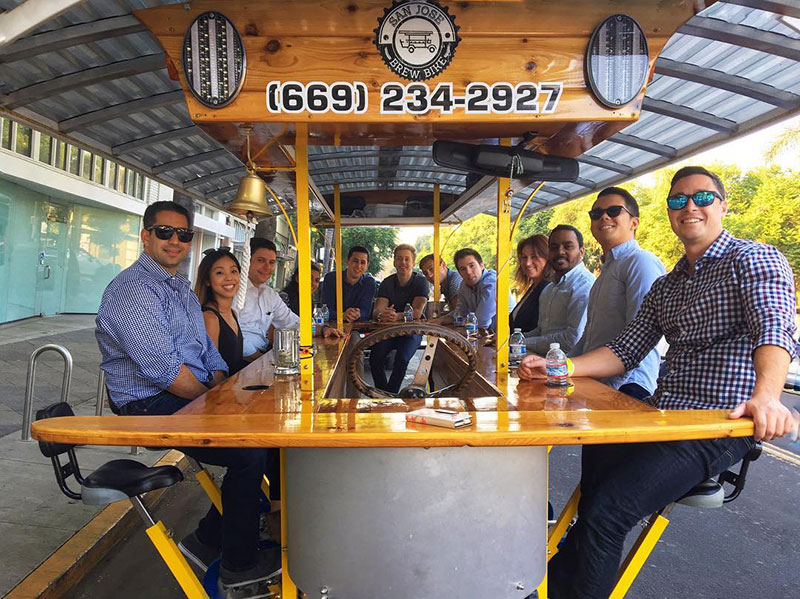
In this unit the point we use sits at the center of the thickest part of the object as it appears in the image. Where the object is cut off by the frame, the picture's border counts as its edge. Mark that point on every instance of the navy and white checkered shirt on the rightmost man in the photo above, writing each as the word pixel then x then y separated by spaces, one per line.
pixel 741 296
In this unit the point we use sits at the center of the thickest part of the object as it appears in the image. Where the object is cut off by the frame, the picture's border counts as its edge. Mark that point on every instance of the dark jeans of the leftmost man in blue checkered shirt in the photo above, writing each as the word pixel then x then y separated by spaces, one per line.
pixel 237 531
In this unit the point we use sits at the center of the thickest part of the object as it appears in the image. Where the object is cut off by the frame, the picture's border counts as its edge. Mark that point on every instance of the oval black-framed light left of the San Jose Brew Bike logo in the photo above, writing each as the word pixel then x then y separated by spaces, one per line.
pixel 214 60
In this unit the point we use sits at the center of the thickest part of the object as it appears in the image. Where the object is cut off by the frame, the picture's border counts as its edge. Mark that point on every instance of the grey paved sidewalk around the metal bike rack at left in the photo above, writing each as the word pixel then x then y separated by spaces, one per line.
pixel 35 518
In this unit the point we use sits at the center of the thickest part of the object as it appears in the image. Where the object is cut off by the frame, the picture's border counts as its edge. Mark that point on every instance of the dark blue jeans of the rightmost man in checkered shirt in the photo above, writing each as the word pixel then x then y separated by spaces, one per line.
pixel 620 485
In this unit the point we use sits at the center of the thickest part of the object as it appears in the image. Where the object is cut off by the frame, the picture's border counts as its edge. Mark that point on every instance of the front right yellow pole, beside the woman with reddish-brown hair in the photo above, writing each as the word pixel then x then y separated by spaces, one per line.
pixel 503 252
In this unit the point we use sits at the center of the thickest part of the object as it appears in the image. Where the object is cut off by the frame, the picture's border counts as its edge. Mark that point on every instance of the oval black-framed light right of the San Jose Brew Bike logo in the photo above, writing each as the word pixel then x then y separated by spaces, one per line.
pixel 617 61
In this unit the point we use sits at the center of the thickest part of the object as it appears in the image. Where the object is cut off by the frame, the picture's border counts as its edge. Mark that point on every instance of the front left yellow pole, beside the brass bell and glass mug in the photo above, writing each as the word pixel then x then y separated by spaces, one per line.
pixel 303 253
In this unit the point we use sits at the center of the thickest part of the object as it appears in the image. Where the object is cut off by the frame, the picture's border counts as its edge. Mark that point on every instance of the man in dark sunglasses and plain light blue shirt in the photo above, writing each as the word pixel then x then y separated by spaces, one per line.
pixel 627 275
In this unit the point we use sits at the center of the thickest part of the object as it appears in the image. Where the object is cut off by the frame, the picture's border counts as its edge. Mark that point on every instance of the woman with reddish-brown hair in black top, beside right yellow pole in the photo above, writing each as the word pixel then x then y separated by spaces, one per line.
pixel 531 277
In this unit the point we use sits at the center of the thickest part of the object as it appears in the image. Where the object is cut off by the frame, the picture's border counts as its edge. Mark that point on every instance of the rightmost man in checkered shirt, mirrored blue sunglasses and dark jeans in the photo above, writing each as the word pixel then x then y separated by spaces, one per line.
pixel 727 310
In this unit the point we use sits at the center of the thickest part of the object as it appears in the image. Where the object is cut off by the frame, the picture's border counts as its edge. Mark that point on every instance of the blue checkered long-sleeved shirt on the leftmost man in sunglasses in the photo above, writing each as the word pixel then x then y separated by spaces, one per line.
pixel 148 325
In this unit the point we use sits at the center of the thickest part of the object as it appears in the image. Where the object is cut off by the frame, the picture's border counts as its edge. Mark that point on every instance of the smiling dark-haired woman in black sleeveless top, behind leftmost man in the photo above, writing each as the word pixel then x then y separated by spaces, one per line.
pixel 216 287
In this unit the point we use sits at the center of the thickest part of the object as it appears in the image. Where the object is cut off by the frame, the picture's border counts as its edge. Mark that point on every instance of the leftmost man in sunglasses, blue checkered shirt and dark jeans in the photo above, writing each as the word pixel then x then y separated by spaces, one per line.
pixel 157 358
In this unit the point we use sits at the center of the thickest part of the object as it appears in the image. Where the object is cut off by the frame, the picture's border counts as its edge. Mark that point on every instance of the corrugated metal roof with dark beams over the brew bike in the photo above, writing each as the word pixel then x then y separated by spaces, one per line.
pixel 731 69
